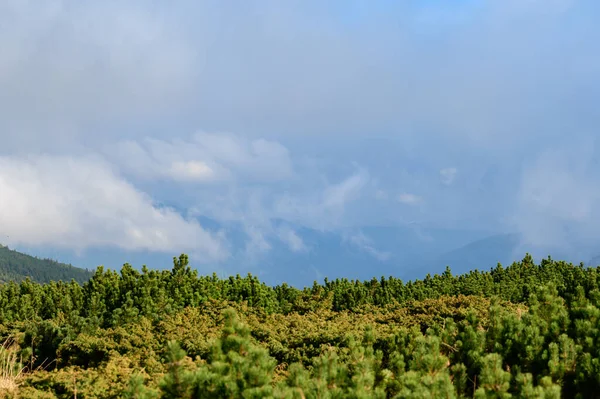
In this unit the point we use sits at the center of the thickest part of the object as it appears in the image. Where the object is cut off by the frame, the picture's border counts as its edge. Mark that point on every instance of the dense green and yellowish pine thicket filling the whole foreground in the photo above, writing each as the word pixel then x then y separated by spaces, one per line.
pixel 526 330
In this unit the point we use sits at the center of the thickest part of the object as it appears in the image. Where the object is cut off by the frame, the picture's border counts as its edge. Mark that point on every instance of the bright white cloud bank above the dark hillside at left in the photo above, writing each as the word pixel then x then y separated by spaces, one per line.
pixel 78 203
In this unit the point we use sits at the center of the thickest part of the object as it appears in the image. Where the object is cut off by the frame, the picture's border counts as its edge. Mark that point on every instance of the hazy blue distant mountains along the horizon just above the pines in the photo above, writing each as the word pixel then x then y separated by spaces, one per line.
pixel 408 252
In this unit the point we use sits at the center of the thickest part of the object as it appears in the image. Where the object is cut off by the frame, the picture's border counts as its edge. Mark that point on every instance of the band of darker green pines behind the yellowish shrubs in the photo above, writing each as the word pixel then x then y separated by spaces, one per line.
pixel 110 297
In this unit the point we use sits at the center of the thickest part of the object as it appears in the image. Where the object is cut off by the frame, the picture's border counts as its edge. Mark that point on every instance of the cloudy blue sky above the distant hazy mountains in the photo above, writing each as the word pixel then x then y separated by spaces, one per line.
pixel 149 127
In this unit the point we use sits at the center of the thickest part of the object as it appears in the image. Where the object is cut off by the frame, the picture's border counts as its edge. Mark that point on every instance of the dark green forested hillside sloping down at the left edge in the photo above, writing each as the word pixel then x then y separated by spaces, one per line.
pixel 16 266
